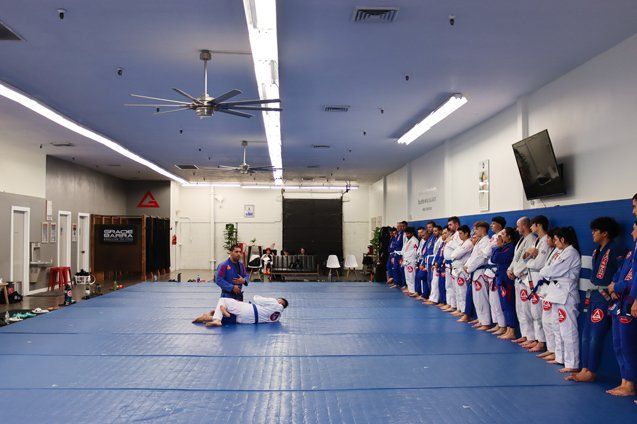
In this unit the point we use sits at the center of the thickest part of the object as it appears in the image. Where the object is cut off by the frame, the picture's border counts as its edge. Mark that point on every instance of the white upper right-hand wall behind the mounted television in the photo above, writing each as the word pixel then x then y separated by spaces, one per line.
pixel 589 113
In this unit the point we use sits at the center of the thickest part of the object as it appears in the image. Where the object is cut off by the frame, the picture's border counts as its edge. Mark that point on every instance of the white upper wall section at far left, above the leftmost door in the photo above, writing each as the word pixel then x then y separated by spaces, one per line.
pixel 22 168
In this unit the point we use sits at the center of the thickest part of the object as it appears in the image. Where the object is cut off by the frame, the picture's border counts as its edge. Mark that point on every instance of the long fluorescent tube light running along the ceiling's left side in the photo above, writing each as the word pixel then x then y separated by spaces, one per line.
pixel 17 96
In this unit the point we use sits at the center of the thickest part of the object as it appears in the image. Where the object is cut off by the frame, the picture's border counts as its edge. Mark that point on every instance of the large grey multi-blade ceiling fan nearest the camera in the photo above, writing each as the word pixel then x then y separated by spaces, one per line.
pixel 206 105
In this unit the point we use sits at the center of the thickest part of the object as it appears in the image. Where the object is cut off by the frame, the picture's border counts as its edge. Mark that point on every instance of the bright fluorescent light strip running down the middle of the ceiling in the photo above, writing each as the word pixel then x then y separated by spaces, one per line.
pixel 262 32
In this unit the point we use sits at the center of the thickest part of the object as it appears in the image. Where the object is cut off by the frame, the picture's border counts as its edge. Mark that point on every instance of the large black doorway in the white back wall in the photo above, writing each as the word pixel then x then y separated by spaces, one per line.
pixel 315 224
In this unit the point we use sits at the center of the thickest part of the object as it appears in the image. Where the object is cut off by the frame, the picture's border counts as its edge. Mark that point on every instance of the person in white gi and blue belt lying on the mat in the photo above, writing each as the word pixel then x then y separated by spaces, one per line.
pixel 261 310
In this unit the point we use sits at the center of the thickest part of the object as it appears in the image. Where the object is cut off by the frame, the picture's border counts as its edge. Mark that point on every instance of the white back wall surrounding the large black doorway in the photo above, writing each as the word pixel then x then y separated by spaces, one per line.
pixel 201 214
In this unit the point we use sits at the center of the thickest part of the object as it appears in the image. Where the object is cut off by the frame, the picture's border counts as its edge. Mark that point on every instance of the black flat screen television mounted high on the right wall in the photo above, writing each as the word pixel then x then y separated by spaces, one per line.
pixel 540 173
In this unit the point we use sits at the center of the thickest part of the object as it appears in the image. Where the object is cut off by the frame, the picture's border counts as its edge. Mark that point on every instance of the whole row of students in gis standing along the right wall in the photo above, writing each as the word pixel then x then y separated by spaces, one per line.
pixel 523 284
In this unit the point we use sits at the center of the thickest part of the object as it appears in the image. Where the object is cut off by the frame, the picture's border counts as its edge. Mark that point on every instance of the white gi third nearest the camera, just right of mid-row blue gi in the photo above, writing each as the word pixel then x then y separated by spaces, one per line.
pixel 522 291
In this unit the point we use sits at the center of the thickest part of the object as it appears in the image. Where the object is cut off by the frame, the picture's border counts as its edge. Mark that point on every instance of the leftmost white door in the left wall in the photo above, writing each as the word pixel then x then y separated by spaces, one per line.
pixel 19 252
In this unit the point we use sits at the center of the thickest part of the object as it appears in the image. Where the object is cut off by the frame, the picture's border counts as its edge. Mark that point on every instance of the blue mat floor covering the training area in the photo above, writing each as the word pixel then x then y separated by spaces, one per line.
pixel 343 353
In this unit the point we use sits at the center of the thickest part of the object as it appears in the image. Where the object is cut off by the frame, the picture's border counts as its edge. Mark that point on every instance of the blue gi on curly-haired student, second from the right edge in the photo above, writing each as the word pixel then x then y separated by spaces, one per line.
pixel 606 262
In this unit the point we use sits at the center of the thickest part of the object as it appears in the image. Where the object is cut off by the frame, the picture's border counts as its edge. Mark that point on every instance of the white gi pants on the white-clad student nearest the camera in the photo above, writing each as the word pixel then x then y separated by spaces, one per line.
pixel 566 336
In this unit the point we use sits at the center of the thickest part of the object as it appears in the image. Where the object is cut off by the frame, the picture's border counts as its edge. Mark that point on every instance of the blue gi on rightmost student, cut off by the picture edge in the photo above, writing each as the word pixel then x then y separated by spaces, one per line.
pixel 624 325
